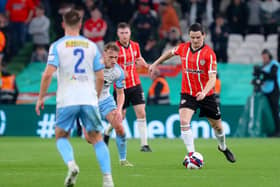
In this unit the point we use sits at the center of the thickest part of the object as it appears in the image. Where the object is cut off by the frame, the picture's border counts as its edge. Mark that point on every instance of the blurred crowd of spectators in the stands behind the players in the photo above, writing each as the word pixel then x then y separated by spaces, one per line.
pixel 158 25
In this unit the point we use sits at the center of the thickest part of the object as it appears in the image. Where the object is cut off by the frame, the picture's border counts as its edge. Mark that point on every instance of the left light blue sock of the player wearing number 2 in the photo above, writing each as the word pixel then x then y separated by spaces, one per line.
pixel 65 149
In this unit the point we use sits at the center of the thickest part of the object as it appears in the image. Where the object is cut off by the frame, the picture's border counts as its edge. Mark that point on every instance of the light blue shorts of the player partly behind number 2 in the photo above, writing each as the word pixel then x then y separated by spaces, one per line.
pixel 106 106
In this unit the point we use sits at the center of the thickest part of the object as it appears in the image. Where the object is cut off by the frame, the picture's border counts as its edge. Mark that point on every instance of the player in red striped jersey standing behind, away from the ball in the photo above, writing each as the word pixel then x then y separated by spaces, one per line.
pixel 129 56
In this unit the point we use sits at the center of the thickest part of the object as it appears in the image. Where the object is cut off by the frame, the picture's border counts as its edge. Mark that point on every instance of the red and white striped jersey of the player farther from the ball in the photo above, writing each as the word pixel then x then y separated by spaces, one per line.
pixel 126 60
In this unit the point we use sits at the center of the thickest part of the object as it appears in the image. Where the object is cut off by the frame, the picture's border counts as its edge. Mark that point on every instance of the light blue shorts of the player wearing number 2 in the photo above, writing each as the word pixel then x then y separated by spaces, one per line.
pixel 66 117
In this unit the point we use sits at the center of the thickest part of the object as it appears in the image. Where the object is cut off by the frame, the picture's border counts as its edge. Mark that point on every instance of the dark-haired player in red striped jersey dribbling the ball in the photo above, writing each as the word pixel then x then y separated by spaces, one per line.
pixel 199 69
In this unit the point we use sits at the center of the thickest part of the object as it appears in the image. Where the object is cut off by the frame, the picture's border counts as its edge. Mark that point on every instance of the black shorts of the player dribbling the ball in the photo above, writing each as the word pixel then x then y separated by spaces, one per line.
pixel 208 106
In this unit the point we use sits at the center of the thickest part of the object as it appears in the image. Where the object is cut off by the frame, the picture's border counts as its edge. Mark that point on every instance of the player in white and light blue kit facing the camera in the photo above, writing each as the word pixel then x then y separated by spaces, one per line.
pixel 113 73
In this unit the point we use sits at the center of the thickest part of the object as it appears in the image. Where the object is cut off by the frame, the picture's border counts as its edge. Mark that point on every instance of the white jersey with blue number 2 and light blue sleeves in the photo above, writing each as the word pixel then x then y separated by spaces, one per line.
pixel 76 59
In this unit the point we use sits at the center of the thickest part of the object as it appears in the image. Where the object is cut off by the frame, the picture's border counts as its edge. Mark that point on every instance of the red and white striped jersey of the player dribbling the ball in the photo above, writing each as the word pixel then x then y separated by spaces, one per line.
pixel 196 66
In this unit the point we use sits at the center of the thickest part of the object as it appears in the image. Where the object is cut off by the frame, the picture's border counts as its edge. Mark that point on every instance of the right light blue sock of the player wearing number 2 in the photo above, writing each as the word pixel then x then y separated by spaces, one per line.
pixel 103 157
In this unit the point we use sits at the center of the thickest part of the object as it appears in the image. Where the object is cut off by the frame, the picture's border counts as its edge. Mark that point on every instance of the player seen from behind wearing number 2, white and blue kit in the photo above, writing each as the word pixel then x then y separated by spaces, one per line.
pixel 80 80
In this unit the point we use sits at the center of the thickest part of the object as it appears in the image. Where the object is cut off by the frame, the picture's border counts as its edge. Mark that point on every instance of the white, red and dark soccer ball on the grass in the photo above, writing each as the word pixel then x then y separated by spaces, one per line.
pixel 193 161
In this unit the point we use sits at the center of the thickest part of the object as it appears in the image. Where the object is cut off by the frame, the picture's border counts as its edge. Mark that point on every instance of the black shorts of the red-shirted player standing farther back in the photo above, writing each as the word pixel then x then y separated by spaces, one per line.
pixel 133 95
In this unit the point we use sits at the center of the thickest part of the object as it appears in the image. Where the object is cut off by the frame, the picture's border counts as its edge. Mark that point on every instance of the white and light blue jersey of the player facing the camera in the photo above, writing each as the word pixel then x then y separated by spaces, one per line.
pixel 111 75
